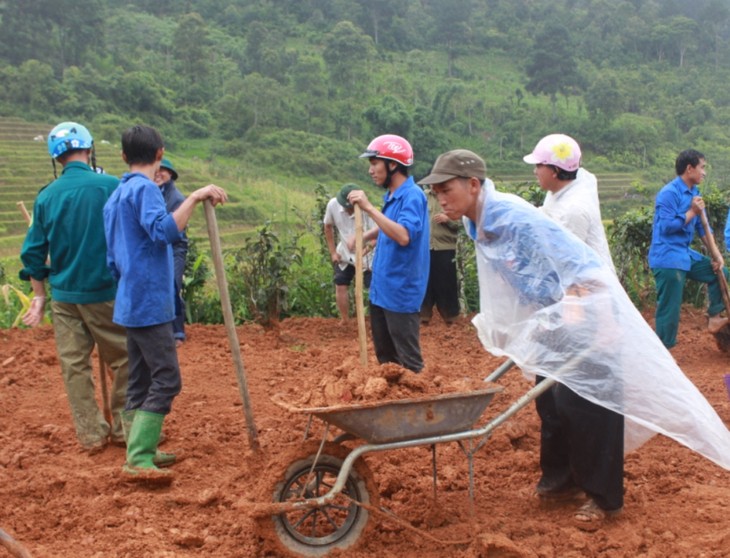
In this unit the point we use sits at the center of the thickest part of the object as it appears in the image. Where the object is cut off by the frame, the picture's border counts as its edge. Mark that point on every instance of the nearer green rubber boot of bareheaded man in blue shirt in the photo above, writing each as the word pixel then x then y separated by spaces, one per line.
pixel 142 447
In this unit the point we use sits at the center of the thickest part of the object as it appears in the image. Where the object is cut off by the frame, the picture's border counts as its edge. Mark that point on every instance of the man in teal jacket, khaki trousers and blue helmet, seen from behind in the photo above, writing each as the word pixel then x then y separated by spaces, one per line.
pixel 67 226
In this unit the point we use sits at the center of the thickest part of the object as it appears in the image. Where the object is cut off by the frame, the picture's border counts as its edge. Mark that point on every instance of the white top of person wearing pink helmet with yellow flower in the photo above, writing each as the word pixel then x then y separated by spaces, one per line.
pixel 576 207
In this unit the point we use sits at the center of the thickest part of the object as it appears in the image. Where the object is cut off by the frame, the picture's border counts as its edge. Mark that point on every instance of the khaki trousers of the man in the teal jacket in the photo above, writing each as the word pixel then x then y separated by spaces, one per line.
pixel 78 327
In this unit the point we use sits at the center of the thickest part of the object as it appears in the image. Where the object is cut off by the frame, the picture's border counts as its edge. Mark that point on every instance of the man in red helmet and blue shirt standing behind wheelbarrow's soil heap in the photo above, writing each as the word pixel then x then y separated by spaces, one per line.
pixel 401 261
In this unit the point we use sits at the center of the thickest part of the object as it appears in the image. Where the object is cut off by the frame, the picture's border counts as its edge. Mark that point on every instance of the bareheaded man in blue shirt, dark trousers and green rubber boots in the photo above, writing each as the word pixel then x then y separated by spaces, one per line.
pixel 140 233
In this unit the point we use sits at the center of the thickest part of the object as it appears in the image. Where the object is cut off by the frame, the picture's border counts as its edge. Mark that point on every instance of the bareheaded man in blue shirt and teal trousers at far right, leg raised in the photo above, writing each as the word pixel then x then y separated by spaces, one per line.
pixel 676 220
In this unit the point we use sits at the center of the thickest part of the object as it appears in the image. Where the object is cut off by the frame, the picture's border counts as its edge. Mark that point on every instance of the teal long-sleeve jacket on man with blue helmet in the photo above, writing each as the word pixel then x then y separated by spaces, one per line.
pixel 66 244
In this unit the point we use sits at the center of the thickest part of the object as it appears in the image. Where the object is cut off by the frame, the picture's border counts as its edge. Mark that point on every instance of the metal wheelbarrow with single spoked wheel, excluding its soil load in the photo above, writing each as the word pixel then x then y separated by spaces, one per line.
pixel 322 500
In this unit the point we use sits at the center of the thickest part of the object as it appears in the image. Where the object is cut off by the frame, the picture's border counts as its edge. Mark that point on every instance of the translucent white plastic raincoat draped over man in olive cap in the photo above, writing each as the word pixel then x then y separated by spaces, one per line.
pixel 551 304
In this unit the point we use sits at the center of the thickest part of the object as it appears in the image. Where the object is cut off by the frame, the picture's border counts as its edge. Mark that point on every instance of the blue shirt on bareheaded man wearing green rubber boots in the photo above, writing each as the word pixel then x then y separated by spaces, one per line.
pixel 139 234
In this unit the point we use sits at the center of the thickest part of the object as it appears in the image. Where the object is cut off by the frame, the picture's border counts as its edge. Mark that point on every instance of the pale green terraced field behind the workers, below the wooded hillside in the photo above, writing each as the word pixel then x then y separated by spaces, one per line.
pixel 25 167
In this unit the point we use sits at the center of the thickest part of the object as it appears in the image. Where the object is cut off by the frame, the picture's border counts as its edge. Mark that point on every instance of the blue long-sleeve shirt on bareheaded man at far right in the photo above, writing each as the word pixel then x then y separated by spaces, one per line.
pixel 671 236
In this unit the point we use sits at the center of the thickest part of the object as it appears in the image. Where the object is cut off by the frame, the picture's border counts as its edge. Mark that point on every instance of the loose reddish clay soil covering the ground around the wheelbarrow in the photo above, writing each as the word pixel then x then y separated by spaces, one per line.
pixel 59 502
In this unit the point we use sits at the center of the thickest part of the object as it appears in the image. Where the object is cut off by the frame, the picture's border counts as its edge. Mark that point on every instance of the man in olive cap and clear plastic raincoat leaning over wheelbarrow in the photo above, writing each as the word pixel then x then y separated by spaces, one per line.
pixel 552 305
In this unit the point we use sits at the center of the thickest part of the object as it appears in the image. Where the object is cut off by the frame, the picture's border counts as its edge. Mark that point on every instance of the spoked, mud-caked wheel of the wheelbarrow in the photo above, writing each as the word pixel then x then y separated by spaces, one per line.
pixel 338 525
